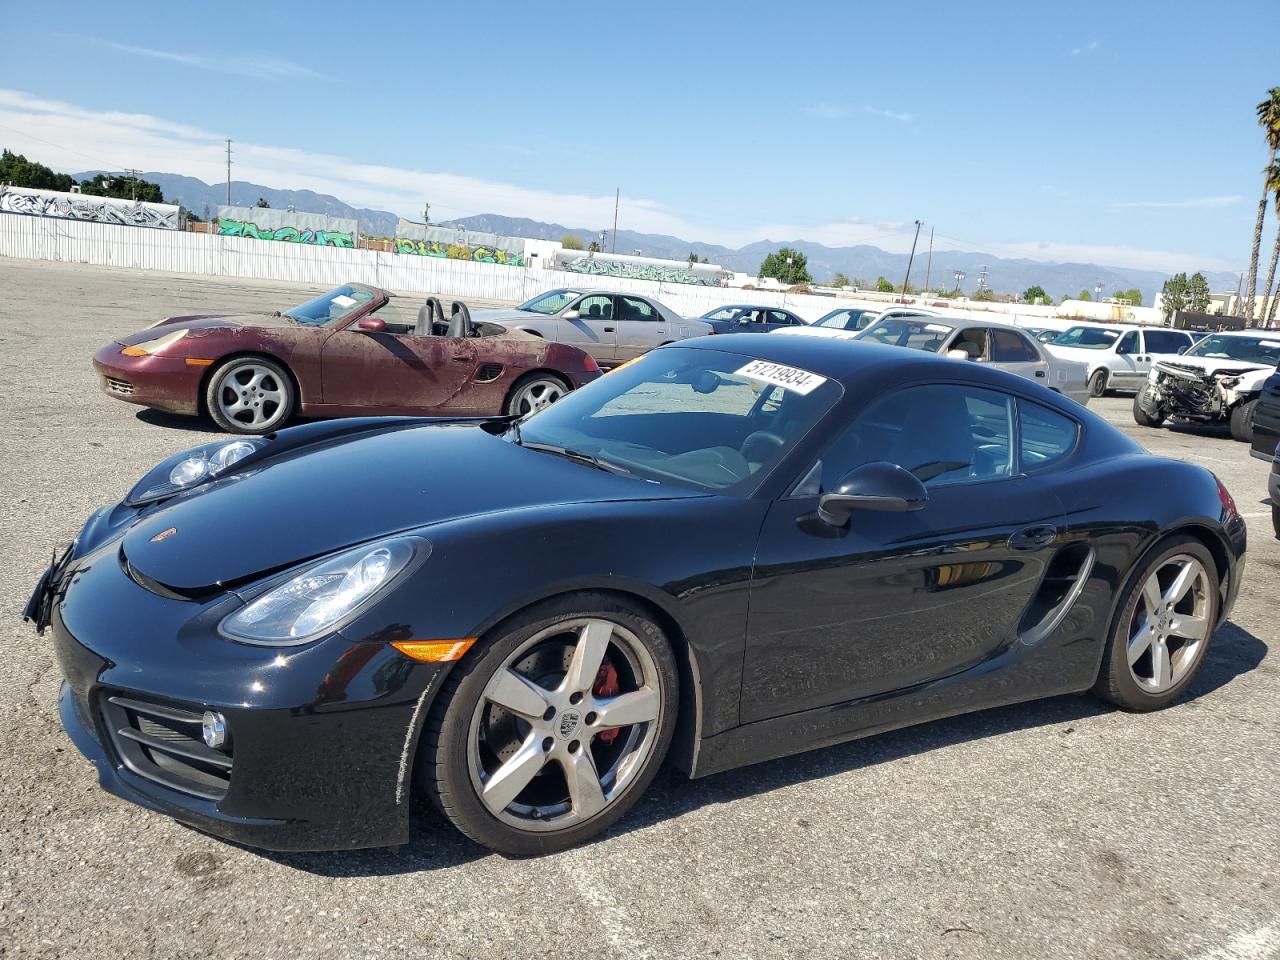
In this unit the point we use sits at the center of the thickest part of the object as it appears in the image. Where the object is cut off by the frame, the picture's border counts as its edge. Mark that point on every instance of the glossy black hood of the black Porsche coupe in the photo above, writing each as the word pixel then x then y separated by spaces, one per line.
pixel 331 496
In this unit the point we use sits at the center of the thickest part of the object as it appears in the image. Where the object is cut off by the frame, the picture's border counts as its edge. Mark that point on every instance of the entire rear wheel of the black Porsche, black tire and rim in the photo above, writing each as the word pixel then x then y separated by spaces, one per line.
pixel 1182 633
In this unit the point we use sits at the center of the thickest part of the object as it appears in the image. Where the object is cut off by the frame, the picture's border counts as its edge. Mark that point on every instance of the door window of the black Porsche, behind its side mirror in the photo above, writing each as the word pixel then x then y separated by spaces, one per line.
pixel 943 433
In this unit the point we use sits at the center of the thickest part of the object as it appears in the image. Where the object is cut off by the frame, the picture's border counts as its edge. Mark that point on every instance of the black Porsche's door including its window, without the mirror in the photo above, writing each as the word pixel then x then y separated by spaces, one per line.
pixel 898 600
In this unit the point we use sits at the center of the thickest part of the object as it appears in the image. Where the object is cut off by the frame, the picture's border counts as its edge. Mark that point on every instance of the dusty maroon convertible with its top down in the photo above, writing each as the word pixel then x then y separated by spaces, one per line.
pixel 354 351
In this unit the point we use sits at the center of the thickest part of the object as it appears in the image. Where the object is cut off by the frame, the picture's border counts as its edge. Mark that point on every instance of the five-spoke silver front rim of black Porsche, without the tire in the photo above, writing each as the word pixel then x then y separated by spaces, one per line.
pixel 565 725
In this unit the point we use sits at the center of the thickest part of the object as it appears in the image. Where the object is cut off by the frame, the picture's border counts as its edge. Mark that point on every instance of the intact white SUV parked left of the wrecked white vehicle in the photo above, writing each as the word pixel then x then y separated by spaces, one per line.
pixel 1118 358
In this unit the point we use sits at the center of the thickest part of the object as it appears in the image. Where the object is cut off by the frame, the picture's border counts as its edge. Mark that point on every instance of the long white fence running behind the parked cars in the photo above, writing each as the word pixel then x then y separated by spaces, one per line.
pixel 109 245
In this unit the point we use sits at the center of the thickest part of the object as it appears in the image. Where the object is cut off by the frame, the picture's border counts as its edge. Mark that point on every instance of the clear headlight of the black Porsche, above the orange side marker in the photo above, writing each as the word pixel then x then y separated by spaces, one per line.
pixel 322 597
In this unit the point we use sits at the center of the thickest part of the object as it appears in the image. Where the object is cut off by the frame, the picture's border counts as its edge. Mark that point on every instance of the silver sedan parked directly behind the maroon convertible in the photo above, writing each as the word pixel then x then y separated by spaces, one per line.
pixel 611 327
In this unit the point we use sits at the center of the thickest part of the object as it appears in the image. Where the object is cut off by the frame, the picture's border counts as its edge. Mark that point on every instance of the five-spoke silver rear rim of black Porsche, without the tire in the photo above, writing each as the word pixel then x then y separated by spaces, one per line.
pixel 1171 624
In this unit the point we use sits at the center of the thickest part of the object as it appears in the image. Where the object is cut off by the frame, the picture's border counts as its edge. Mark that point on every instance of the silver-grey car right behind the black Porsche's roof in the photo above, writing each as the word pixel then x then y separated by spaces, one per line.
pixel 998 345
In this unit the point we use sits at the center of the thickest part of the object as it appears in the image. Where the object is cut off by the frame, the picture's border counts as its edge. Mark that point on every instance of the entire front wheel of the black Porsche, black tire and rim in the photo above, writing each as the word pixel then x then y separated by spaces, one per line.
pixel 474 743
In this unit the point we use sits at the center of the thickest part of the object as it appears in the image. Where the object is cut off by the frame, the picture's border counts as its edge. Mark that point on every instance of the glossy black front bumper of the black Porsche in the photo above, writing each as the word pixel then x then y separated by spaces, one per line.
pixel 323 737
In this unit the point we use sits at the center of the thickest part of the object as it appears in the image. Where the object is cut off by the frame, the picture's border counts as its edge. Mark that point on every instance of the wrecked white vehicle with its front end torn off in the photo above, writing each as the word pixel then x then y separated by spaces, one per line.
pixel 1219 381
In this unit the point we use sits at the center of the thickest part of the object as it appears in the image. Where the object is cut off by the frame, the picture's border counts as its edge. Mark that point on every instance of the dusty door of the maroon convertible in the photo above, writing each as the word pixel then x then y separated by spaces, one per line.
pixel 395 373
